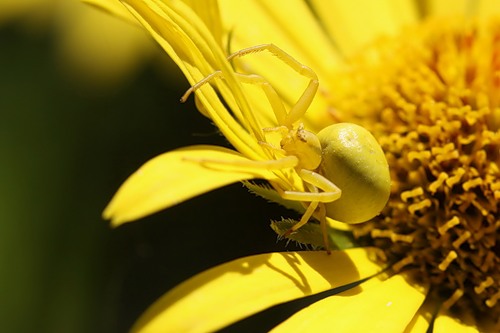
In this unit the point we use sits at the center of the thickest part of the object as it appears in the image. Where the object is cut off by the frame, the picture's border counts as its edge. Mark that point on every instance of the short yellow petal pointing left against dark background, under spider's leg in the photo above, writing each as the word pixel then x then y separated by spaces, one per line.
pixel 176 176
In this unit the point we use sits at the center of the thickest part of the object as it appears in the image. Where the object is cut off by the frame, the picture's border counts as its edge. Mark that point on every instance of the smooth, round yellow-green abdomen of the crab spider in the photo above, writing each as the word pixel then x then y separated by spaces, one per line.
pixel 355 162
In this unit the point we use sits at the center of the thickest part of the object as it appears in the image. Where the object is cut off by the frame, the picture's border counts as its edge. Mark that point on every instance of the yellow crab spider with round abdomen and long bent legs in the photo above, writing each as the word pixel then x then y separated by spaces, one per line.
pixel 343 168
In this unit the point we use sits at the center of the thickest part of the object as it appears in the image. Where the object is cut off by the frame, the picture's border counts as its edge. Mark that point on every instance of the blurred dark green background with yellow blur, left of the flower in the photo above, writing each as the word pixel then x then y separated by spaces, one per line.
pixel 84 101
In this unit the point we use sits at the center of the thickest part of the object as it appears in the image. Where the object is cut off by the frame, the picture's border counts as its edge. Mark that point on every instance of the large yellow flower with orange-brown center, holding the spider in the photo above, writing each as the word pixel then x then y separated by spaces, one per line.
pixel 428 91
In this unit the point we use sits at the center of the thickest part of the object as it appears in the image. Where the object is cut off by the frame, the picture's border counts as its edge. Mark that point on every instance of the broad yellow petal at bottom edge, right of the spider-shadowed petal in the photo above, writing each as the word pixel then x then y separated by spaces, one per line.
pixel 386 307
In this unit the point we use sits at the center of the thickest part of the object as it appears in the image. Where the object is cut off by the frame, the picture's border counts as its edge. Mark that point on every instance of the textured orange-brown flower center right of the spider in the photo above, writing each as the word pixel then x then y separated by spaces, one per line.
pixel 432 100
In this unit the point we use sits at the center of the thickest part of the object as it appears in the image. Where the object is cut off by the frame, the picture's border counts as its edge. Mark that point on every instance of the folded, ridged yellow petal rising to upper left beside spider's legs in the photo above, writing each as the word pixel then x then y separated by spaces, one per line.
pixel 190 44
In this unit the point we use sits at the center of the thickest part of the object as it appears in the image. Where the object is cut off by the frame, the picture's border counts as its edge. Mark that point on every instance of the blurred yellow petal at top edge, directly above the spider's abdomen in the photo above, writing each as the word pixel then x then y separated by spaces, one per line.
pixel 353 24
